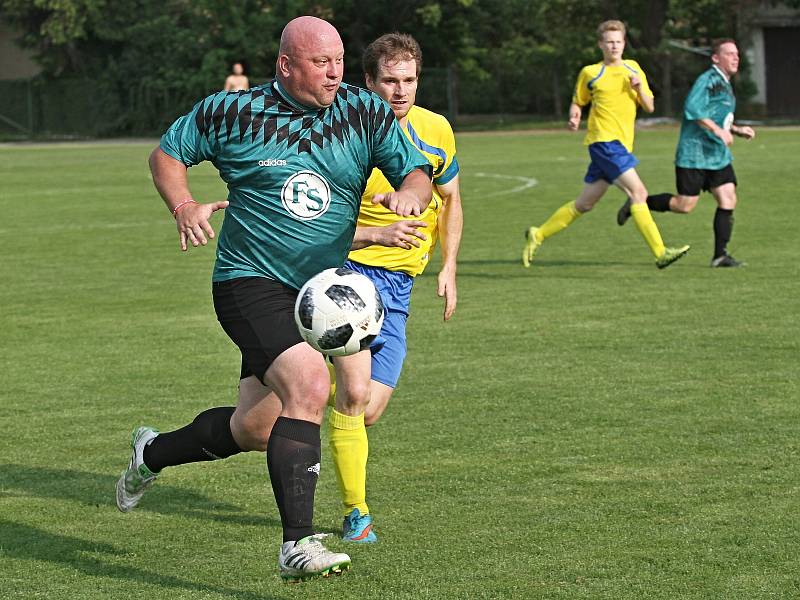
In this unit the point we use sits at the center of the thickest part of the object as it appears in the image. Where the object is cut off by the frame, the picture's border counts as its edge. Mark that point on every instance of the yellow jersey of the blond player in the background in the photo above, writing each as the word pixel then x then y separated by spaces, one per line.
pixel 613 100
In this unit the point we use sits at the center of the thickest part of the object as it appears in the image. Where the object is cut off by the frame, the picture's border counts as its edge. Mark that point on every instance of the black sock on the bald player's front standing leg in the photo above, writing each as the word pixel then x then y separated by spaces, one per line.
pixel 293 456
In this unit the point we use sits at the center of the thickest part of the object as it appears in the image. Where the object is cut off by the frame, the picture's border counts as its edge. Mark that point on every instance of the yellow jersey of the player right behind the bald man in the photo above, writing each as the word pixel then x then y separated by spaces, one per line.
pixel 432 135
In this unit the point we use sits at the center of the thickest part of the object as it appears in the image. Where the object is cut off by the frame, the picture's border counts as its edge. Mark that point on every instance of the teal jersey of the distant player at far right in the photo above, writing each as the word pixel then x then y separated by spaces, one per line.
pixel 711 97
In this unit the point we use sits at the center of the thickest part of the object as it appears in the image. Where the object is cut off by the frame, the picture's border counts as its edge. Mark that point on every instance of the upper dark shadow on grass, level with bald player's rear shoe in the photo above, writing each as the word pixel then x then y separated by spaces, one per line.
pixel 98 490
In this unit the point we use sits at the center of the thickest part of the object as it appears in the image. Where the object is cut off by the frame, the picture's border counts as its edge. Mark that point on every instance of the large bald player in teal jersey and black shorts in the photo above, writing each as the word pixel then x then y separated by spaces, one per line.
pixel 296 154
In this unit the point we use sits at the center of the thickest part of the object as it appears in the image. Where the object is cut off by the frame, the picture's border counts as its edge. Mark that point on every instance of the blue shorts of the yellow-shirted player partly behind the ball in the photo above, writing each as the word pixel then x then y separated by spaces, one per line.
pixel 389 348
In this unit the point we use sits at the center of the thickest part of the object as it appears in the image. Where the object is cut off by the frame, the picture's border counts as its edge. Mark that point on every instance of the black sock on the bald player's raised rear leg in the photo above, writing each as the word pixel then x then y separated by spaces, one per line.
pixel 208 437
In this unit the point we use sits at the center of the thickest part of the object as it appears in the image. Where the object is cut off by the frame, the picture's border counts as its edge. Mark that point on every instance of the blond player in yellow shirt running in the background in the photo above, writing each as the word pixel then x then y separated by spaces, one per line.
pixel 615 88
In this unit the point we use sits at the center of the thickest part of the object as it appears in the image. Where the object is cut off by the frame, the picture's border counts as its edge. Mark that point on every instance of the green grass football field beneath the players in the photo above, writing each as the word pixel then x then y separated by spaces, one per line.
pixel 588 428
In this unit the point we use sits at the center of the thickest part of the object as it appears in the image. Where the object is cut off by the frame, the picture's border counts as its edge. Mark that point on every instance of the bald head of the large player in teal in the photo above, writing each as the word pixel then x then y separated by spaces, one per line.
pixel 310 61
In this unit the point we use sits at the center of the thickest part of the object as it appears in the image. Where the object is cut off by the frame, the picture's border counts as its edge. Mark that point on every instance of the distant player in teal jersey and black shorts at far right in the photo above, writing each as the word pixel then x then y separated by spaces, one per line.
pixel 703 160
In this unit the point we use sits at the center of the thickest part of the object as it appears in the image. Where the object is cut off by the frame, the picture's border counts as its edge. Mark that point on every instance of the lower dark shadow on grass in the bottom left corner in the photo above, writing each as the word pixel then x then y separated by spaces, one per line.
pixel 29 543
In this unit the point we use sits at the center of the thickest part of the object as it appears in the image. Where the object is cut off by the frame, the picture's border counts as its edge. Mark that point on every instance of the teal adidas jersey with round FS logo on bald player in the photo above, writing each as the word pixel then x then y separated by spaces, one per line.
pixel 295 174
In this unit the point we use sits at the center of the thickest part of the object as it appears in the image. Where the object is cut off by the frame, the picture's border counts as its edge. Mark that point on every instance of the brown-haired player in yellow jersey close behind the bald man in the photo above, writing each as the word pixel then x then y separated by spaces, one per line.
pixel 391 251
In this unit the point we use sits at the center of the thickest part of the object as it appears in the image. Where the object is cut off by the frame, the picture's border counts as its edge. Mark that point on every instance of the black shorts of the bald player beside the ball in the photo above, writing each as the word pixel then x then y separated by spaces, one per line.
pixel 258 315
